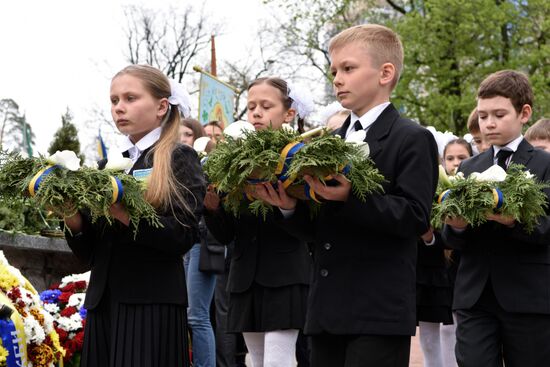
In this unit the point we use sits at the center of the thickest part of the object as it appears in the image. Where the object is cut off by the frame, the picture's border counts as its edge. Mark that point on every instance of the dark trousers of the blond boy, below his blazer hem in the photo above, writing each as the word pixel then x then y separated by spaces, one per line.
pixel 360 351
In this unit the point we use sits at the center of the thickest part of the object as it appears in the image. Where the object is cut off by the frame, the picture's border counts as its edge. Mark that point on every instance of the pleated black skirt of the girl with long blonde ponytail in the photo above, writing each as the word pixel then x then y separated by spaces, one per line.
pixel 135 335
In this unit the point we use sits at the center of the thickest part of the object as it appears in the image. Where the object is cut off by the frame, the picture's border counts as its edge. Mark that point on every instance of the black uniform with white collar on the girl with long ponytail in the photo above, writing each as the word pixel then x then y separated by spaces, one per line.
pixel 136 298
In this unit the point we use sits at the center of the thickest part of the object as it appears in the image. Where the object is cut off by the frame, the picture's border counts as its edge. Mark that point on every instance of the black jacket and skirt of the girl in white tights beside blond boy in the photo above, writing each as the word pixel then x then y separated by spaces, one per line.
pixel 269 272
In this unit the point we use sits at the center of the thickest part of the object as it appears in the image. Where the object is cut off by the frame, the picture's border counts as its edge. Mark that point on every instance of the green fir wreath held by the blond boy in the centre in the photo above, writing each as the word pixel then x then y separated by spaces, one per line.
pixel 257 157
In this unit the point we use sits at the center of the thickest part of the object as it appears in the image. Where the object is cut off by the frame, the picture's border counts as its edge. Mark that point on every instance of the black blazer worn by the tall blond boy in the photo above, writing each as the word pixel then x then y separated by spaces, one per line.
pixel 365 252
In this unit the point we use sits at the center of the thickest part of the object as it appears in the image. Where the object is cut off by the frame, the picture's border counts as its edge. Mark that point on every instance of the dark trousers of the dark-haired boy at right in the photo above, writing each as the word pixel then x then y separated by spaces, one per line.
pixel 486 335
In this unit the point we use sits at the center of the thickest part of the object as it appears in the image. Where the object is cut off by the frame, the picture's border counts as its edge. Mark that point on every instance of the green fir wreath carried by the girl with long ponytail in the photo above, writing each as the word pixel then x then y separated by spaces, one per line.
pixel 68 191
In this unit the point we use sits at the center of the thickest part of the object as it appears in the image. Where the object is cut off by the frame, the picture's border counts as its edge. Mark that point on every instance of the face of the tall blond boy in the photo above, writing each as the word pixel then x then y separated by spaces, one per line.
pixel 358 85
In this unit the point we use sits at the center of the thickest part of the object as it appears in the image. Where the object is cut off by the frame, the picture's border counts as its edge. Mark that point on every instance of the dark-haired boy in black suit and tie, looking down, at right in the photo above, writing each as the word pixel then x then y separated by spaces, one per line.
pixel 502 291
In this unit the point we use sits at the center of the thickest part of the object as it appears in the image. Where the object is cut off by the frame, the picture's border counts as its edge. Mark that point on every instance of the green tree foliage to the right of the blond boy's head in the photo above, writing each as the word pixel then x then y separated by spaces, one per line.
pixel 452 45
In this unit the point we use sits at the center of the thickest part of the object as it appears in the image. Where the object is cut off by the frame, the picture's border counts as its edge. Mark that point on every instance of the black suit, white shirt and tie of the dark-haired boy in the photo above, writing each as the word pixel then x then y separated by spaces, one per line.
pixel 502 288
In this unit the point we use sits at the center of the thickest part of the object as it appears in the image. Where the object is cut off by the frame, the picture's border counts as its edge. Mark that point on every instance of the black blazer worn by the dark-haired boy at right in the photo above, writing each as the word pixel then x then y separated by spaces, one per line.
pixel 517 263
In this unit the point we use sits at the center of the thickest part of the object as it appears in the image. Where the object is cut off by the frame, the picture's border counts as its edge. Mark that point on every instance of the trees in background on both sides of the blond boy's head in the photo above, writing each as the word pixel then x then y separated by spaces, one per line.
pixel 450 47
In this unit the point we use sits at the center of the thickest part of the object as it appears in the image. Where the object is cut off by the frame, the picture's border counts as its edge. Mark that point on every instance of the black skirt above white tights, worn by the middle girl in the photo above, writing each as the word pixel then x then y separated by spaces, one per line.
pixel 262 309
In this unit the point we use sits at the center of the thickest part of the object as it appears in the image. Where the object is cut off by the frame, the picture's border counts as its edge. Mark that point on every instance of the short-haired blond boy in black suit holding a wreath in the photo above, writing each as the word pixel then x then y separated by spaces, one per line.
pixel 361 306
